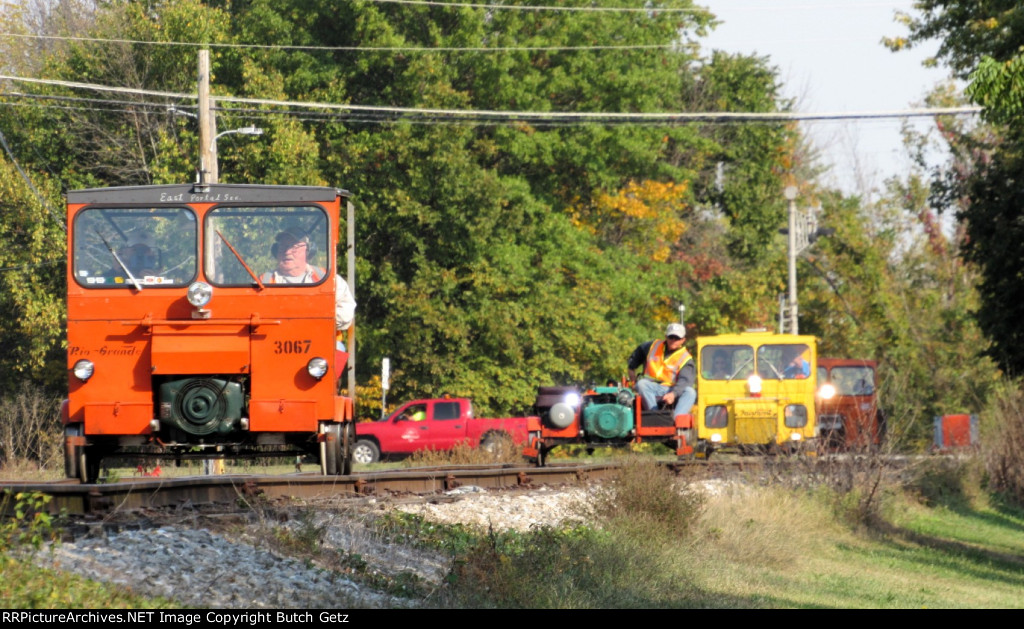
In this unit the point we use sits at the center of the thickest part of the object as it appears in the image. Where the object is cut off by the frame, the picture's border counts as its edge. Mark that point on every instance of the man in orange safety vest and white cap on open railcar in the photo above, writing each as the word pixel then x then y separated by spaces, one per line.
pixel 669 372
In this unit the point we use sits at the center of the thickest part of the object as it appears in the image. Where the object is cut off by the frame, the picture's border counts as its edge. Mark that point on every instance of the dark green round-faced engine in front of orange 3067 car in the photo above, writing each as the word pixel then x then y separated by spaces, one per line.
pixel 202 406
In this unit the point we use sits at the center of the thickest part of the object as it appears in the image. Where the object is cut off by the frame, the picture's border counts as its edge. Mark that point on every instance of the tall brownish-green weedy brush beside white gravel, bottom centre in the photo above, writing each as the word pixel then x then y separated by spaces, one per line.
pixel 633 557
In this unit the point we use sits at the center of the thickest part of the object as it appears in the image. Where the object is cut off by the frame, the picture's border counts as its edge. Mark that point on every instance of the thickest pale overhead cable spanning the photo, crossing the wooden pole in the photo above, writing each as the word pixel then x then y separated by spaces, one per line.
pixel 499 115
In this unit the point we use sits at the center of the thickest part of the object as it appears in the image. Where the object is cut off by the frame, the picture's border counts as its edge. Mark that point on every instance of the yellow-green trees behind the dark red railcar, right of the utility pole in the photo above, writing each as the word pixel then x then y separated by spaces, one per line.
pixel 890 285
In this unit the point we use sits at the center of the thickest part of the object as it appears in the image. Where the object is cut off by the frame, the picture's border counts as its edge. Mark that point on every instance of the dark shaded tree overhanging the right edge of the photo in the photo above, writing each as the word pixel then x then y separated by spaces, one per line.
pixel 983 43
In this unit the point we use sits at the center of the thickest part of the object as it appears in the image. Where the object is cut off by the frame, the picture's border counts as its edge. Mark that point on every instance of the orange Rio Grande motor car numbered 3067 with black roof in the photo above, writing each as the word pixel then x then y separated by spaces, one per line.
pixel 202 324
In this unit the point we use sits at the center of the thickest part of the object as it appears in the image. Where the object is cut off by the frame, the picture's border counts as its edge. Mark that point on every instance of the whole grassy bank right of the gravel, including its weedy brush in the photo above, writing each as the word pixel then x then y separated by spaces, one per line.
pixel 763 546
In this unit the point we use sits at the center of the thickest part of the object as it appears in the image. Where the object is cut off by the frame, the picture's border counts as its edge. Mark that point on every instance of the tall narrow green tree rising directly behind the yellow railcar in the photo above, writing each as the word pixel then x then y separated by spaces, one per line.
pixel 734 259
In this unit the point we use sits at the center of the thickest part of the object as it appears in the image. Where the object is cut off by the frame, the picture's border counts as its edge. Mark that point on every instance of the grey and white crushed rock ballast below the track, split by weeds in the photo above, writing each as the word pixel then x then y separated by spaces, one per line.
pixel 201 569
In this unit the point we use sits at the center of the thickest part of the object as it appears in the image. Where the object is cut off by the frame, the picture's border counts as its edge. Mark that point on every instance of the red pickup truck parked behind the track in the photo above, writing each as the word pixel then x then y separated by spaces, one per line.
pixel 433 425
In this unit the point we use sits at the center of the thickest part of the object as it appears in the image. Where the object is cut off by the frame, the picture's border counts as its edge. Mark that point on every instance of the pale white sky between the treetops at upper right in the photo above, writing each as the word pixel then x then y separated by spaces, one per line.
pixel 830 59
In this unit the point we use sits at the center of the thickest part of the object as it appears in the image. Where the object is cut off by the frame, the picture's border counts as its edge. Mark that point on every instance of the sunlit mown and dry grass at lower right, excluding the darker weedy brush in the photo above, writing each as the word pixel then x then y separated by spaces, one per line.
pixel 780 549
